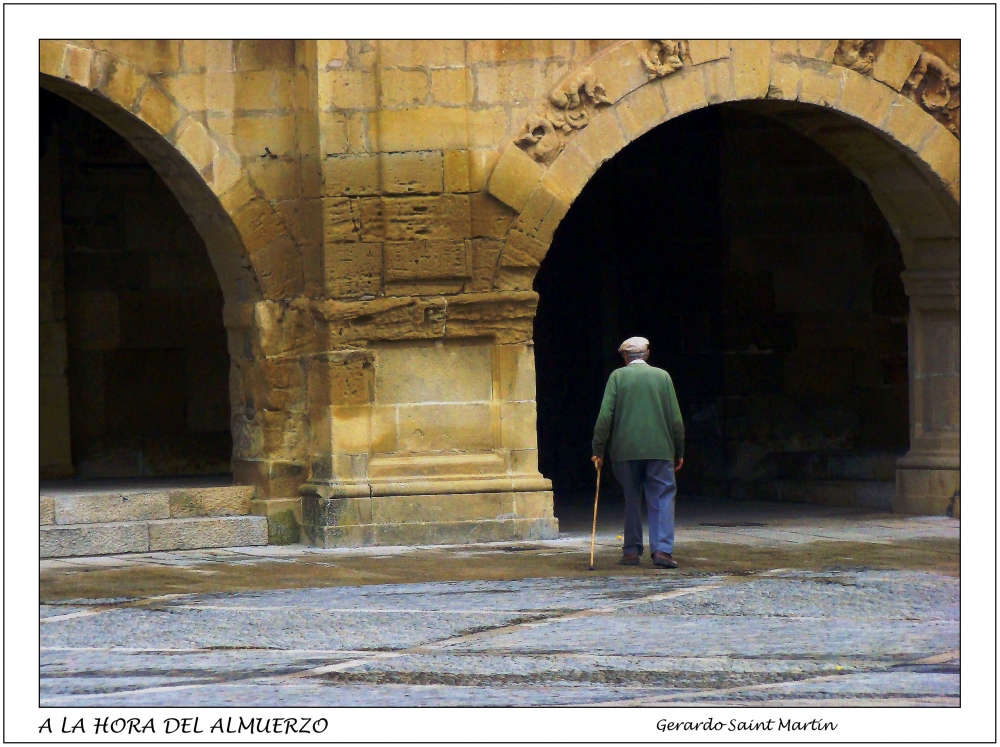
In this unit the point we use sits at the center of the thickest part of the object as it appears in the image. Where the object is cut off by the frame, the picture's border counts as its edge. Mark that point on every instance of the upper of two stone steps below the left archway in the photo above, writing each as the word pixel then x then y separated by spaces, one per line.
pixel 82 505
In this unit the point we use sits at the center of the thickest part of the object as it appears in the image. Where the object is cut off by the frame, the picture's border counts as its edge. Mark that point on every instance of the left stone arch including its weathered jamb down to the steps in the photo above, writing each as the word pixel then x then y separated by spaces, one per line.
pixel 251 248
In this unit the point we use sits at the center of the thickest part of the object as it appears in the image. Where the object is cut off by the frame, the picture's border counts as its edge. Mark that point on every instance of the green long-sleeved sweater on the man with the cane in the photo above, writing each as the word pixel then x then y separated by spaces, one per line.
pixel 641 404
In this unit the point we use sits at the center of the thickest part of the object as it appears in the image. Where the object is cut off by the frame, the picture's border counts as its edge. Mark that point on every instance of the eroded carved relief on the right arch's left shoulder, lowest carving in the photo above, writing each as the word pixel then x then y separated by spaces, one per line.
pixel 566 110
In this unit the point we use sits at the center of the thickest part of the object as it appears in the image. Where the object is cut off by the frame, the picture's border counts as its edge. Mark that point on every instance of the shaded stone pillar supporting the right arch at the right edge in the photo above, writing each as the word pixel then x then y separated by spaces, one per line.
pixel 928 477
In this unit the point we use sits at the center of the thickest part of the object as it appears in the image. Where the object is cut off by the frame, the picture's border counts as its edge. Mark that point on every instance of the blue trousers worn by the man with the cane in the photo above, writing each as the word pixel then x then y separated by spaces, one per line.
pixel 655 478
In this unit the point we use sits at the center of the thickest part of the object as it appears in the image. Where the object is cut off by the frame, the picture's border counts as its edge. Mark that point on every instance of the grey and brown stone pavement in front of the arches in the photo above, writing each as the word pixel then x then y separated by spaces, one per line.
pixel 815 607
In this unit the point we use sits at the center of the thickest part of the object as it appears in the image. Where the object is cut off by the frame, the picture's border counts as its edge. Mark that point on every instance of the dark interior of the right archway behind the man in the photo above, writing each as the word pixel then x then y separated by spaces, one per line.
pixel 768 283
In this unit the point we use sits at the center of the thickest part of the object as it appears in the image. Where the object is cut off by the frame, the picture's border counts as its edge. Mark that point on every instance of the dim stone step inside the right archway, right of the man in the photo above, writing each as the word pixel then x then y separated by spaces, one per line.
pixel 875 494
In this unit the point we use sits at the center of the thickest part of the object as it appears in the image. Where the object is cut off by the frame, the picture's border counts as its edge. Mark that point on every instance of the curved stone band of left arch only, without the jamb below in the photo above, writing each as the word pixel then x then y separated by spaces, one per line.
pixel 249 245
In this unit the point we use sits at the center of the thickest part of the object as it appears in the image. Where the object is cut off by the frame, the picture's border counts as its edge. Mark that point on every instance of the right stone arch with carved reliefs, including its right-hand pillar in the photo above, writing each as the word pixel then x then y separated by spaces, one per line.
pixel 860 102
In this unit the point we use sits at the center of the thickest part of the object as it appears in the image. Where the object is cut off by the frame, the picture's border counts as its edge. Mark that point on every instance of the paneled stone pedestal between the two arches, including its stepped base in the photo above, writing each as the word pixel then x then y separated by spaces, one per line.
pixel 425 442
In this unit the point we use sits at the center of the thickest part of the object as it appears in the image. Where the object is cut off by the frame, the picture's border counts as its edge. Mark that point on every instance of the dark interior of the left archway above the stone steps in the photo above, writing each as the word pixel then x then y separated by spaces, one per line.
pixel 134 358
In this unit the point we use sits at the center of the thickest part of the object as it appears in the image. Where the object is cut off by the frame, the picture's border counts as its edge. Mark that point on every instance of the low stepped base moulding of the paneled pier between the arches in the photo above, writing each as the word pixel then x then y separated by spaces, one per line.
pixel 427 519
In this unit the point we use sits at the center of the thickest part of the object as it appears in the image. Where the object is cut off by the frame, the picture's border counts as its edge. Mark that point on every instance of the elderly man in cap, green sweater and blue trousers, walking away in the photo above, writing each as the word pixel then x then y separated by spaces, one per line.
pixel 641 414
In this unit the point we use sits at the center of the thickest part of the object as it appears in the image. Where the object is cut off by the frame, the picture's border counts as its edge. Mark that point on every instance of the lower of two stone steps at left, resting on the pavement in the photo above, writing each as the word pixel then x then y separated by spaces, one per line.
pixel 113 538
